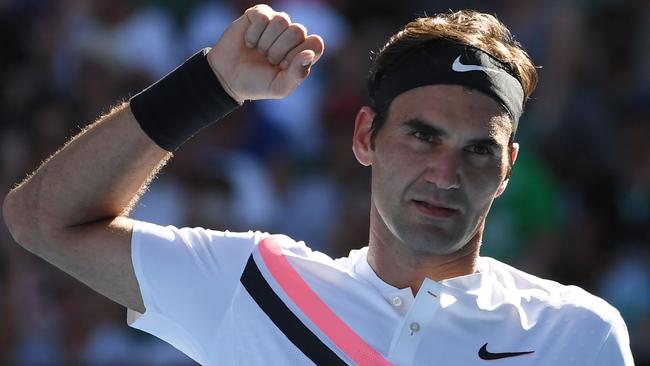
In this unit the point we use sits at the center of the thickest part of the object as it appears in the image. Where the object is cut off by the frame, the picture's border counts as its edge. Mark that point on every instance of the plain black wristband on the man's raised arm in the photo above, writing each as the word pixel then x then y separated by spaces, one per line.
pixel 176 107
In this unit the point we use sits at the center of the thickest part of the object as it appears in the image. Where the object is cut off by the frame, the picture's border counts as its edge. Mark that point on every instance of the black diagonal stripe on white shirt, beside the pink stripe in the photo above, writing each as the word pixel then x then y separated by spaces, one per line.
pixel 284 319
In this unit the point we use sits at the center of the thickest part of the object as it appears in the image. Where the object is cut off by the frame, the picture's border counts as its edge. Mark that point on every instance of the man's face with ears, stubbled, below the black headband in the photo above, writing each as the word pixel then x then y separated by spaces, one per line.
pixel 438 162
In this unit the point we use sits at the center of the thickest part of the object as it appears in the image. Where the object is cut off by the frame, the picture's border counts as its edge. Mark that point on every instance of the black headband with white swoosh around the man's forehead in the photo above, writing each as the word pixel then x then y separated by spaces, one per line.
pixel 444 62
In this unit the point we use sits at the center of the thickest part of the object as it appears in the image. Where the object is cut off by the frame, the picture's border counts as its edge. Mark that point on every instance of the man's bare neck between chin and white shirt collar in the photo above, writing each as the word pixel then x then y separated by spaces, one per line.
pixel 400 266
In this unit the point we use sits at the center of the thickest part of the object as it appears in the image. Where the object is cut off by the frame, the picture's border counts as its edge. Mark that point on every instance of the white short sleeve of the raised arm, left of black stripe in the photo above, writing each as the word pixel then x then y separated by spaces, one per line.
pixel 187 279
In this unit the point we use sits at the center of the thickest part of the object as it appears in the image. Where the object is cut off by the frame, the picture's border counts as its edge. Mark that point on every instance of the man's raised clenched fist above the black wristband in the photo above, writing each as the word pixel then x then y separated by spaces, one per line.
pixel 263 55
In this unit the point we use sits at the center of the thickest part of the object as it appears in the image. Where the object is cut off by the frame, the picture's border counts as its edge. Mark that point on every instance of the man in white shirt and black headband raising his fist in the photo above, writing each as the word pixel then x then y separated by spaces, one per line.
pixel 447 93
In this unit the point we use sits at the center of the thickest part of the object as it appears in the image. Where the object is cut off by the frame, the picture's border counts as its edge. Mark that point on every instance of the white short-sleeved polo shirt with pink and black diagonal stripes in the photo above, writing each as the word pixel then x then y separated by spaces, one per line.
pixel 196 286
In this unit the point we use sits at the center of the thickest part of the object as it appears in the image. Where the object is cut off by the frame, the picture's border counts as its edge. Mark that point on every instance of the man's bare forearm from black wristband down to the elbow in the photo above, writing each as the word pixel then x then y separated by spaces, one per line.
pixel 96 176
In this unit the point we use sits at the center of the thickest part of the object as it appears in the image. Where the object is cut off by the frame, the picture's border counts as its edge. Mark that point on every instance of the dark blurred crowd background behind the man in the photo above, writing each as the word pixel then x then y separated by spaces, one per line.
pixel 577 209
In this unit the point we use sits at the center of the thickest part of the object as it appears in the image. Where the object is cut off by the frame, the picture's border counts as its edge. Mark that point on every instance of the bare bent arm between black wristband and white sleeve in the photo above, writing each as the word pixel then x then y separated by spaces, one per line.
pixel 69 211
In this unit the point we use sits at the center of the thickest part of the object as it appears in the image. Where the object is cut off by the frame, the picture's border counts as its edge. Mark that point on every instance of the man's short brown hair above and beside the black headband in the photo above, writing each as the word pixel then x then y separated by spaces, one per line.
pixel 467 27
